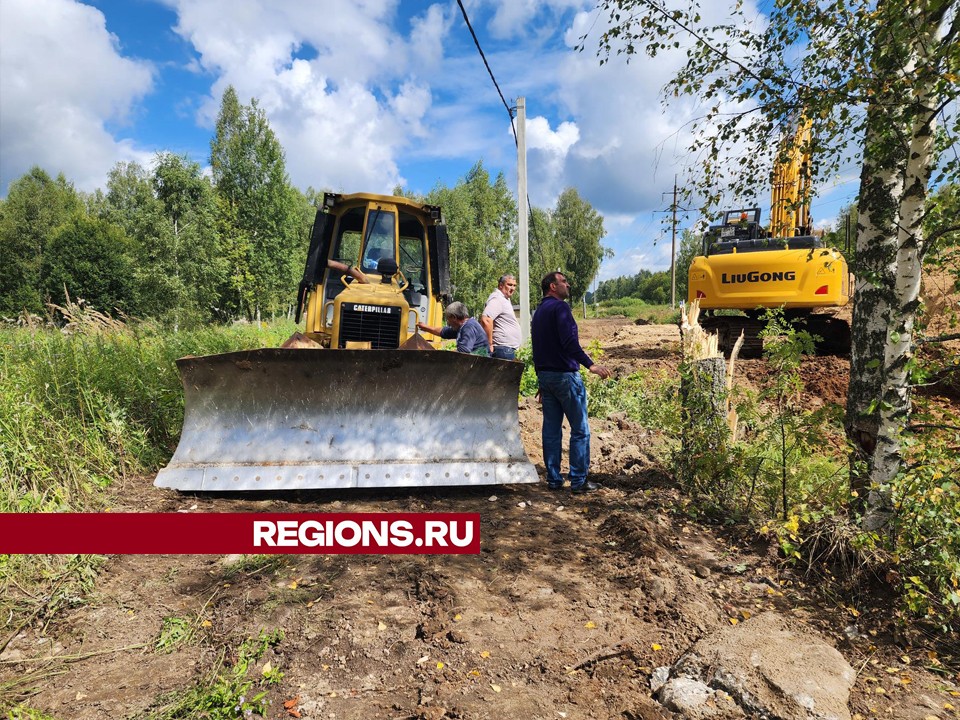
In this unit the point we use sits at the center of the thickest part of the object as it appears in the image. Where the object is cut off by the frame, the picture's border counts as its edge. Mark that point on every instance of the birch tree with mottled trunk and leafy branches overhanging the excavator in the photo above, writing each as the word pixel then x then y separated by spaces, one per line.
pixel 874 77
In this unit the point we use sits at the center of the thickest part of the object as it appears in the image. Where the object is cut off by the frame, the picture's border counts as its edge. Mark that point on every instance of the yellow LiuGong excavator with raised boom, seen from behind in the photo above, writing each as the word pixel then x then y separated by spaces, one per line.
pixel 748 268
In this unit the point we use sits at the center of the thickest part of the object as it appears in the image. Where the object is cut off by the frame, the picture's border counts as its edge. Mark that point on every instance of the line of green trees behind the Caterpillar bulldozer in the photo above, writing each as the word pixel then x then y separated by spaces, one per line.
pixel 175 244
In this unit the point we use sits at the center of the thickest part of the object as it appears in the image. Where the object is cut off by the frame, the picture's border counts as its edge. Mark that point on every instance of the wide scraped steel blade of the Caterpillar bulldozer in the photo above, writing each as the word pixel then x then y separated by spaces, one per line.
pixel 291 419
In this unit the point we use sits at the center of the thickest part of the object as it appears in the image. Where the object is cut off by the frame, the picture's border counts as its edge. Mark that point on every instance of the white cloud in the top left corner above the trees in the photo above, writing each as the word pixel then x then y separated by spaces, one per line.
pixel 62 79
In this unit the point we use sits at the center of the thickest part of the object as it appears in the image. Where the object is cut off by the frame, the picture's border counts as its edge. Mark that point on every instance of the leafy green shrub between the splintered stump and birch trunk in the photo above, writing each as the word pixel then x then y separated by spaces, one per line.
pixel 782 468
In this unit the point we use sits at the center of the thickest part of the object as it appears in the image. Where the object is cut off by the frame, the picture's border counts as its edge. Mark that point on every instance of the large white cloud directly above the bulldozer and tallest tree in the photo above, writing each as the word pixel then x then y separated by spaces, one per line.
pixel 342 88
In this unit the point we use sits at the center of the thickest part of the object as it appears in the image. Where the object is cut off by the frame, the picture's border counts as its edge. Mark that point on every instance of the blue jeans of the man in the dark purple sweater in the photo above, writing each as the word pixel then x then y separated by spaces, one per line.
pixel 563 394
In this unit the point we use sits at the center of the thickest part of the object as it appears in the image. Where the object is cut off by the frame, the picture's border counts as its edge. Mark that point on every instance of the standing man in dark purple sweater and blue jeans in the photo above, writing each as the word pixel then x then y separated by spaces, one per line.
pixel 557 357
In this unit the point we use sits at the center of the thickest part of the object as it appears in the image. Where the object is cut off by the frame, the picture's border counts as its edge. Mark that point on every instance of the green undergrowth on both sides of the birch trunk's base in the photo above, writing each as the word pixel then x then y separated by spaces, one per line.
pixel 788 475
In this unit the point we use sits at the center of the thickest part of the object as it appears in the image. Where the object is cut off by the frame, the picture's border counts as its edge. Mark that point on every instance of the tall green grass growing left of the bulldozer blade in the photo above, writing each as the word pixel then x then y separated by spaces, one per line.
pixel 80 410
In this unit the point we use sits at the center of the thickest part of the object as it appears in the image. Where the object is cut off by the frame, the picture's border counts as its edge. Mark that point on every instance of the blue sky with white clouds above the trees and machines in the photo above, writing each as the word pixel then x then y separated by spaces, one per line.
pixel 363 96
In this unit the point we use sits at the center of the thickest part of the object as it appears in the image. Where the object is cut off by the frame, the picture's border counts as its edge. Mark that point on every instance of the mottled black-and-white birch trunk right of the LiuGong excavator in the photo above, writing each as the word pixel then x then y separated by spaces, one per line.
pixel 889 259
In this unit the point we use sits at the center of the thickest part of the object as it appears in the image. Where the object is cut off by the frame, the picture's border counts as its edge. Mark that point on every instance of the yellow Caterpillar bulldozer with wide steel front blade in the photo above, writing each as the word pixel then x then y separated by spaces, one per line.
pixel 364 400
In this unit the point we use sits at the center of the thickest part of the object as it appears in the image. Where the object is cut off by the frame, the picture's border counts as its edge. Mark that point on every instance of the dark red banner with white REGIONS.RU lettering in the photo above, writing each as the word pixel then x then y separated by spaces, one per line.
pixel 229 533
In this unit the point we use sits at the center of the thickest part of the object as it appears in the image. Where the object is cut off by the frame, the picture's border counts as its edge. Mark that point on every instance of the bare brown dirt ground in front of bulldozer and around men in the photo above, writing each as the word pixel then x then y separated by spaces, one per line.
pixel 565 613
